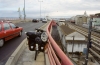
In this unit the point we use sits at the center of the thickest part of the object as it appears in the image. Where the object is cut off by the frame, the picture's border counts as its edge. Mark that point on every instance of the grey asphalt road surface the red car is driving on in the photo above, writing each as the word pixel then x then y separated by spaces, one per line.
pixel 10 46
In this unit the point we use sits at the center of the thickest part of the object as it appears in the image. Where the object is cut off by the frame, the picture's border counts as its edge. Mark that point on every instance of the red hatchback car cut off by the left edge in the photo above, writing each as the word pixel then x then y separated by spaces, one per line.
pixel 8 30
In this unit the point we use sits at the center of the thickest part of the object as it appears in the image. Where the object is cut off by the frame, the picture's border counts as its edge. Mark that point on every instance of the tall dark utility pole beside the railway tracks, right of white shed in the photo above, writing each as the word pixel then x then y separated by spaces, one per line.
pixel 89 41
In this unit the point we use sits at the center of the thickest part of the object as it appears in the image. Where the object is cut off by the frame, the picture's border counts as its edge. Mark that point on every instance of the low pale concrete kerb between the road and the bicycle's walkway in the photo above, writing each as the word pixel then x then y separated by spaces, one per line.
pixel 14 57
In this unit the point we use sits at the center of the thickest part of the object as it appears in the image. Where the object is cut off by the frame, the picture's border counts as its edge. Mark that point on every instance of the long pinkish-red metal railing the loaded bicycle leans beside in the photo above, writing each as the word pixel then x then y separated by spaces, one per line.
pixel 55 54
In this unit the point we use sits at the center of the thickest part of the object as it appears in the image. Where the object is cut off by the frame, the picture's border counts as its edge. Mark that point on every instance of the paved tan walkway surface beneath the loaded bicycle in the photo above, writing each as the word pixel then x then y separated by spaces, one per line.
pixel 27 58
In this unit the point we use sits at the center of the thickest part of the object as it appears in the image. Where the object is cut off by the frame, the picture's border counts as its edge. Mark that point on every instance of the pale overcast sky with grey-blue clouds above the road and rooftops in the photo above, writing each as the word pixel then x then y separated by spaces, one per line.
pixel 52 8
